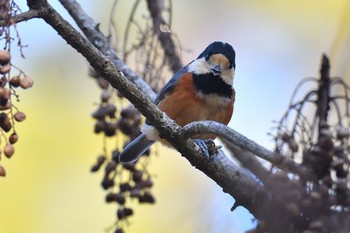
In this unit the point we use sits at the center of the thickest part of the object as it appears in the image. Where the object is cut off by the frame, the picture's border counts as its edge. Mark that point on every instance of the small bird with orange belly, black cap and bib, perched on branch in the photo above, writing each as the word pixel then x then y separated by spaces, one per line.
pixel 200 91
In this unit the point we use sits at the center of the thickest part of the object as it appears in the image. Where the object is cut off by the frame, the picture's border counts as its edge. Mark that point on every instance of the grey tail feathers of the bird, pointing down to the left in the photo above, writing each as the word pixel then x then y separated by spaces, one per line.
pixel 135 149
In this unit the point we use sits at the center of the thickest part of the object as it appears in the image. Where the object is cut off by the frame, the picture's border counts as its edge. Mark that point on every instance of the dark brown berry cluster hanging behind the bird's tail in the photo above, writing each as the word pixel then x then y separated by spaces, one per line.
pixel 122 182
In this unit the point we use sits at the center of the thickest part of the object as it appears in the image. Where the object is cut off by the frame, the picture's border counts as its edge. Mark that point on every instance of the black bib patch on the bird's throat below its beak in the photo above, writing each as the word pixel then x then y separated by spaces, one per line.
pixel 210 84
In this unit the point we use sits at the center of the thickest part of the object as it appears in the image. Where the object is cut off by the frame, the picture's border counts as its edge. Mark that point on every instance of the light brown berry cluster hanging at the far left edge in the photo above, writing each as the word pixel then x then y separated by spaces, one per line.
pixel 9 113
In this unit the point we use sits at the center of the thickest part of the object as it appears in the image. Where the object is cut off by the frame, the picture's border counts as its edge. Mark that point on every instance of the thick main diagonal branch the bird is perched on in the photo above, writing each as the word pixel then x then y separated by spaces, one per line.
pixel 242 187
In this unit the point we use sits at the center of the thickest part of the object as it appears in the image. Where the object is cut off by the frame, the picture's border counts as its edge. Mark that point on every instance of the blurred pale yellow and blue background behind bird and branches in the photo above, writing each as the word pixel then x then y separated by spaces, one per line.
pixel 49 188
